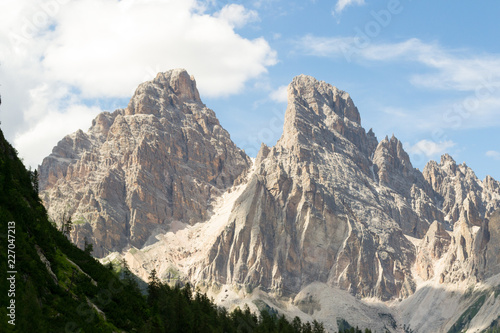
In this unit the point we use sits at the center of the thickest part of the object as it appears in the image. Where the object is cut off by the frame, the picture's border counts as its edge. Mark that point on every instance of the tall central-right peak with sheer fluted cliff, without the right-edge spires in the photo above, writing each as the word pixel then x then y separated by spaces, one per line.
pixel 312 211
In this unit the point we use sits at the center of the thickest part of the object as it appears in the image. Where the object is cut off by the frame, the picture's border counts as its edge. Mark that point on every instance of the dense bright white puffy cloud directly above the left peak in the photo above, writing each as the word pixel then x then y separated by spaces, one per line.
pixel 114 49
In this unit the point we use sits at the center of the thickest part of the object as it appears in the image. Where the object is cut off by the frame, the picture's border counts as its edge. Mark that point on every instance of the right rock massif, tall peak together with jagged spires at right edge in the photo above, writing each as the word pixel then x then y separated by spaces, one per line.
pixel 330 204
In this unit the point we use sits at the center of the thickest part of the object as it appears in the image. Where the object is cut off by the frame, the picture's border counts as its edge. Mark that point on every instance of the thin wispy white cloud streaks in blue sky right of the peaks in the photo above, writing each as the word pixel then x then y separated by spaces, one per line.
pixel 476 77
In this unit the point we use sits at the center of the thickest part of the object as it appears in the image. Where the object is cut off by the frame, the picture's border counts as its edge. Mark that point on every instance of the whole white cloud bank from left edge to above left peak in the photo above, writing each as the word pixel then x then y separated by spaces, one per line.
pixel 61 53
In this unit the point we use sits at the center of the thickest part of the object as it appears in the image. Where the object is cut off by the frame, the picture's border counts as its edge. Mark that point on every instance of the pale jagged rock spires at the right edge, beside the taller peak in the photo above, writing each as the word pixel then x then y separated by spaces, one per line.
pixel 468 249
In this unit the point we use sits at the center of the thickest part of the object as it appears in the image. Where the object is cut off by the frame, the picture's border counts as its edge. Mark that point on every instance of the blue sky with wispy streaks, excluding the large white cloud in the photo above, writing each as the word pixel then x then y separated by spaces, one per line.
pixel 429 117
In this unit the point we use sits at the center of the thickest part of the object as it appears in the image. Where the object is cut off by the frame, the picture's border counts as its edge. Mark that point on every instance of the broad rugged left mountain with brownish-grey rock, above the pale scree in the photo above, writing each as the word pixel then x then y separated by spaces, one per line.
pixel 164 158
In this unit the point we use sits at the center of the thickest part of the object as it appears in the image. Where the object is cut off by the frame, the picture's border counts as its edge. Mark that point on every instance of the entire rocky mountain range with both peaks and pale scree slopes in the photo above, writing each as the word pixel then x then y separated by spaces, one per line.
pixel 328 224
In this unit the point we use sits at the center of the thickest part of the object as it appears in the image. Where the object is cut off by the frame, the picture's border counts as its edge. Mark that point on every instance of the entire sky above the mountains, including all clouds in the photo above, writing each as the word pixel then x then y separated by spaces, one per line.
pixel 429 73
